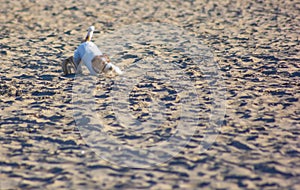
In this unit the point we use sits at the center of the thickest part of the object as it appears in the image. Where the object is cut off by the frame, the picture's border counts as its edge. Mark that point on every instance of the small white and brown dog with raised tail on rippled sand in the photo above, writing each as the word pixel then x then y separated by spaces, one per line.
pixel 91 56
